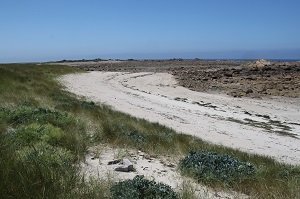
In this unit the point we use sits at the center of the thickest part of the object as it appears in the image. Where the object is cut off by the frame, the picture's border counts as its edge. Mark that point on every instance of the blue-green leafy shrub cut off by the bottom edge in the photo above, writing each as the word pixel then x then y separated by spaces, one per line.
pixel 141 188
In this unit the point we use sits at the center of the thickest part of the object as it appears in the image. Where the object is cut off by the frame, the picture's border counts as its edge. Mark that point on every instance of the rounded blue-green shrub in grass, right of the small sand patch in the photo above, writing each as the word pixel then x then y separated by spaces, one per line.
pixel 210 166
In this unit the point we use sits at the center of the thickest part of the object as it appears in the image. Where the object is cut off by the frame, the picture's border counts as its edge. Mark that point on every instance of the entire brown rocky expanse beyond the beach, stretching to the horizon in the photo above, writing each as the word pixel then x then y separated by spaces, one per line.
pixel 235 78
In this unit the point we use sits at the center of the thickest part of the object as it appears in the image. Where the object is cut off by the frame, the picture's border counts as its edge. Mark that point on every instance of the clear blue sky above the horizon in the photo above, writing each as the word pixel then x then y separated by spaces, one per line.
pixel 40 30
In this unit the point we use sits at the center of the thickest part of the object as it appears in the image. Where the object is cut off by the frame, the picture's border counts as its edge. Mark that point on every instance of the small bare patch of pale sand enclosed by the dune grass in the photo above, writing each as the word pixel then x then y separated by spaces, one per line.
pixel 160 169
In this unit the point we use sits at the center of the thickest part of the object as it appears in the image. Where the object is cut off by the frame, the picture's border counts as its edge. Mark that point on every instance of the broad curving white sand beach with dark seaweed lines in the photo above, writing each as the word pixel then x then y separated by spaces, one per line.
pixel 152 96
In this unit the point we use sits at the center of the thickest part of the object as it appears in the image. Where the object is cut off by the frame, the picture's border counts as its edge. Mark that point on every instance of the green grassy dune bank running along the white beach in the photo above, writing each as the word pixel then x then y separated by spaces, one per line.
pixel 45 131
